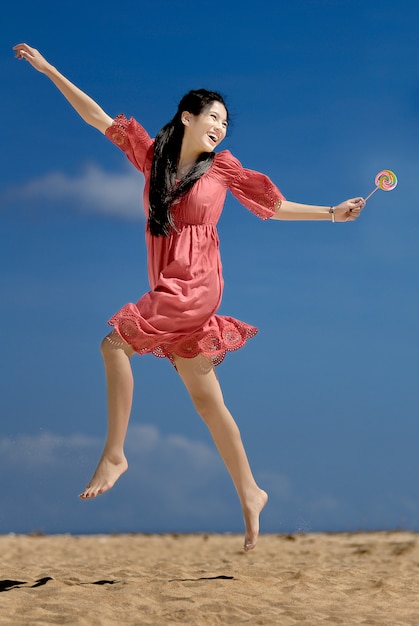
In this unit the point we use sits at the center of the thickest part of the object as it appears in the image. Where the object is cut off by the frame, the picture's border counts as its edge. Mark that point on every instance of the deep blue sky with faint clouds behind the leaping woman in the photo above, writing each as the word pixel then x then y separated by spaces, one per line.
pixel 323 94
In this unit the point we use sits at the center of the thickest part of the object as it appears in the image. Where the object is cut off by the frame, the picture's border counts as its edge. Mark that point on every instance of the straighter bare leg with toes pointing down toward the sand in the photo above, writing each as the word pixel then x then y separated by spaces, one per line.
pixel 200 380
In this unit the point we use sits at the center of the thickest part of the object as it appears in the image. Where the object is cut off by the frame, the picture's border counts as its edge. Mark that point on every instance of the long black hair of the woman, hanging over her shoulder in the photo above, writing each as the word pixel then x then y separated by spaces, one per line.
pixel 163 189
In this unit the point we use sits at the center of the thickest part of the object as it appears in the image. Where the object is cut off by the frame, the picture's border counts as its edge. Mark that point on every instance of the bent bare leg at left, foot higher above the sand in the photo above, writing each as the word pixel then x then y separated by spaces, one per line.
pixel 120 384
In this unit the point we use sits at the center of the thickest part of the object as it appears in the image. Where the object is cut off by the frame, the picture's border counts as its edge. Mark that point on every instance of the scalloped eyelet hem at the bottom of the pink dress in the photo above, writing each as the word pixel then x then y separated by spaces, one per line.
pixel 231 335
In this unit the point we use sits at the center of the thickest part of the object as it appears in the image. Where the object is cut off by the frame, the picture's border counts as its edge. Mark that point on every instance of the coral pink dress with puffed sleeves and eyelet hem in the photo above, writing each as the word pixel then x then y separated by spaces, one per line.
pixel 178 316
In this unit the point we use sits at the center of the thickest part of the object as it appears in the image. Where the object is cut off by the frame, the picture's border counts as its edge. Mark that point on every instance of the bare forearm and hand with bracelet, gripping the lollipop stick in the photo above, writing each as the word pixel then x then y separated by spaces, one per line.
pixel 344 212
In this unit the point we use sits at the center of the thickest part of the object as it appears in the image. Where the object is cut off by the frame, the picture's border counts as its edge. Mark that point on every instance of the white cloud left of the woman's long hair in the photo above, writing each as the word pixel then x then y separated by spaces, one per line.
pixel 94 190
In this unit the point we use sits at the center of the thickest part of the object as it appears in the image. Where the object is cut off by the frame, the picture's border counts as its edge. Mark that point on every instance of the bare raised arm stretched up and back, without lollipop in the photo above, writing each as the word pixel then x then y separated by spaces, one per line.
pixel 87 108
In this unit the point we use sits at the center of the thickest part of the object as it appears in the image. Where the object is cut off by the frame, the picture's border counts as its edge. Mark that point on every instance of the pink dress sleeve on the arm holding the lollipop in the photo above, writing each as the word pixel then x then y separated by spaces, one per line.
pixel 252 189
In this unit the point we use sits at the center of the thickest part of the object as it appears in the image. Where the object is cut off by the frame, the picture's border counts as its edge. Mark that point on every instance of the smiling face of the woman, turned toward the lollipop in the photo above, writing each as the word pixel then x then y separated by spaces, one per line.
pixel 205 131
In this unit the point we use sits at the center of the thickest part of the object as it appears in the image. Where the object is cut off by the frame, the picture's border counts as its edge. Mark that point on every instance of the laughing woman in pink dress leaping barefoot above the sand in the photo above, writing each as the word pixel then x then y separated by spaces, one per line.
pixel 186 185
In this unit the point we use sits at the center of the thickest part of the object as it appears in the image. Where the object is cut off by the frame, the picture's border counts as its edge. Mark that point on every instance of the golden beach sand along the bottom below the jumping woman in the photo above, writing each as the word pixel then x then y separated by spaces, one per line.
pixel 112 580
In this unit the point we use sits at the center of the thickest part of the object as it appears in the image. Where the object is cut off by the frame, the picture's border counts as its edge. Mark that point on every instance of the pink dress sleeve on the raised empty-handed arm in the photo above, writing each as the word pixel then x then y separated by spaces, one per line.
pixel 131 138
